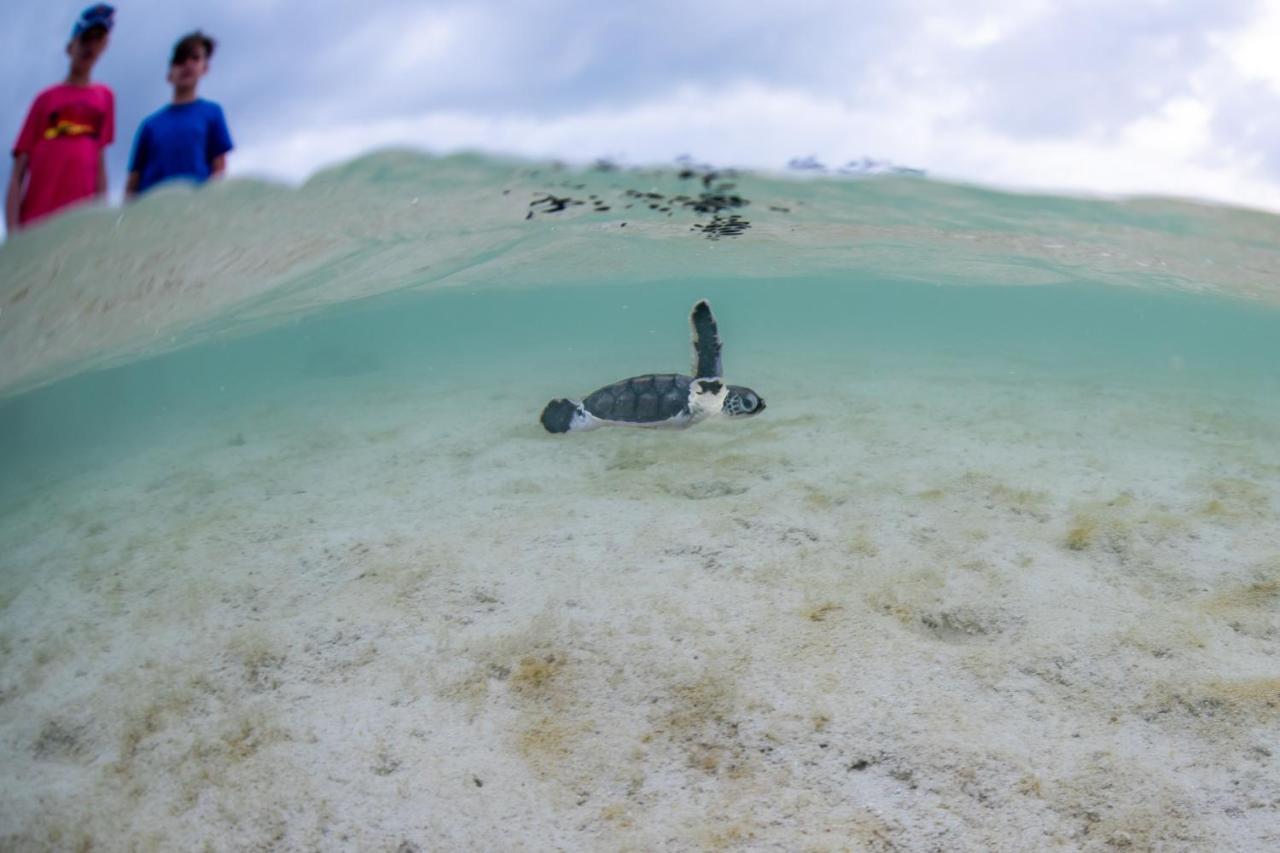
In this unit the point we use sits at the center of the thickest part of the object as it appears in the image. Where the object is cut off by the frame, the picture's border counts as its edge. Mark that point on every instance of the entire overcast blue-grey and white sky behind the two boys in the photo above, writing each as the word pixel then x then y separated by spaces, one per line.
pixel 1154 97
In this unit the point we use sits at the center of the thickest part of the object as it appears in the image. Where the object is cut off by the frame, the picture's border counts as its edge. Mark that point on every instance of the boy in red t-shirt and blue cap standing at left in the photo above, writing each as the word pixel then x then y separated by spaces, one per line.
pixel 60 157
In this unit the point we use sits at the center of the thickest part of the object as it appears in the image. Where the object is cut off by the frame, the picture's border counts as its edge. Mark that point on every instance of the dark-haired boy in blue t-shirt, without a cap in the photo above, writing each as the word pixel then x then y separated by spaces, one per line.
pixel 189 139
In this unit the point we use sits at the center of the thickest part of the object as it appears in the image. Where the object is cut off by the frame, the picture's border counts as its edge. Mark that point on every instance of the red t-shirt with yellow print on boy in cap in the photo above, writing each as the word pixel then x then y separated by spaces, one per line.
pixel 65 135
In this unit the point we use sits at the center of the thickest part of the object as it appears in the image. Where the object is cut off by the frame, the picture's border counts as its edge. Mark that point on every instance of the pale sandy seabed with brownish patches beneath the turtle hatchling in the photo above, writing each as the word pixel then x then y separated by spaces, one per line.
pixel 930 612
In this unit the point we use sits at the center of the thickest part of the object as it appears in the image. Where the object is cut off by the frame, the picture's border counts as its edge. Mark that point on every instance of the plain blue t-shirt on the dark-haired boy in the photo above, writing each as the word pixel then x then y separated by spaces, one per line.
pixel 180 142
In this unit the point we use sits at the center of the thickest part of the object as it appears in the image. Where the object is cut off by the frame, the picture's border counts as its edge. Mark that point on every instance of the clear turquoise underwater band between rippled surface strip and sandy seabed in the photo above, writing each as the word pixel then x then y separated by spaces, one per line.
pixel 534 344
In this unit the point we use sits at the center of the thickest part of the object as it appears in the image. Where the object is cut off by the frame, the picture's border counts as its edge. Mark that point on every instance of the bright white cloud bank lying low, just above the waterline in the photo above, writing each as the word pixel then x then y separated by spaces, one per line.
pixel 764 127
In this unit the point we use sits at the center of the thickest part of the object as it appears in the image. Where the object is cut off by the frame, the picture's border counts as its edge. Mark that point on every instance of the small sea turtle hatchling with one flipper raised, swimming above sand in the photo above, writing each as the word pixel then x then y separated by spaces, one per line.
pixel 666 400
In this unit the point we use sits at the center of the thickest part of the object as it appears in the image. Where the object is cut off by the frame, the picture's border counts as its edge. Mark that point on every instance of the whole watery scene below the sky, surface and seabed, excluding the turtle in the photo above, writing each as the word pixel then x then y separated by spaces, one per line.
pixel 290 563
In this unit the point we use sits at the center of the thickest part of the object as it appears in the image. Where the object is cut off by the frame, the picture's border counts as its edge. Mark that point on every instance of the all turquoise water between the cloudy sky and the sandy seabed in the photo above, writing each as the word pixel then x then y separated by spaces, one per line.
pixel 353 276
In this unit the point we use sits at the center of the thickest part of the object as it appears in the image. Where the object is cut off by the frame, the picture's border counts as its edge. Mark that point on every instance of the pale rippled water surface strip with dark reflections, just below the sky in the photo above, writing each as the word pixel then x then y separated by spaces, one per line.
pixel 106 286
